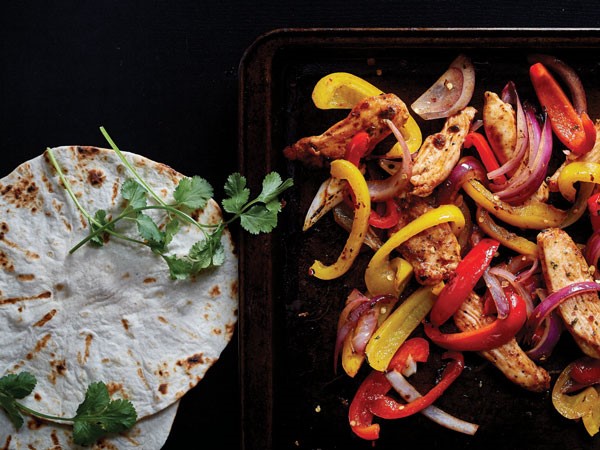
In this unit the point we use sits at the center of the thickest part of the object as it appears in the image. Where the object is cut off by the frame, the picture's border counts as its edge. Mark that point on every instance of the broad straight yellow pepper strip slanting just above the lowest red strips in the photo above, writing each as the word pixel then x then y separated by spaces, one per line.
pixel 392 333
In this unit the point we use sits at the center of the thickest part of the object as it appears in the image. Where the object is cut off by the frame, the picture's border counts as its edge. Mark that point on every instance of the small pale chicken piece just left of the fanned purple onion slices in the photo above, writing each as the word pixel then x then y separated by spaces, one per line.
pixel 500 125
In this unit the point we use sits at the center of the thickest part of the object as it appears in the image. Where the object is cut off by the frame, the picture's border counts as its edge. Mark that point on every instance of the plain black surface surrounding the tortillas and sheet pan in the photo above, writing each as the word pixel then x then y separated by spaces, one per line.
pixel 162 78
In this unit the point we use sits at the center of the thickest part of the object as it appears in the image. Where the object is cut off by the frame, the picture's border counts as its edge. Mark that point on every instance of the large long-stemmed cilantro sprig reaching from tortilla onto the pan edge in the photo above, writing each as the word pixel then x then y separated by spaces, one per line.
pixel 257 215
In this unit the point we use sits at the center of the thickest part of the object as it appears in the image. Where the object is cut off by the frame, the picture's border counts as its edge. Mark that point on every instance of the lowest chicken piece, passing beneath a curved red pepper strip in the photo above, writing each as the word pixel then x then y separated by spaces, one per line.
pixel 509 358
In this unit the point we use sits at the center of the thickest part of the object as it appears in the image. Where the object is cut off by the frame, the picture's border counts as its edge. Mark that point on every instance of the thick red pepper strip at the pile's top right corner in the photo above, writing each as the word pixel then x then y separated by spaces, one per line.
pixel 576 132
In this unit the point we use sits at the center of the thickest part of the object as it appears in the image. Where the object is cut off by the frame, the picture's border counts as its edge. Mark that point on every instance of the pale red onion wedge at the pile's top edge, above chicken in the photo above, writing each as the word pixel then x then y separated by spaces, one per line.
pixel 450 93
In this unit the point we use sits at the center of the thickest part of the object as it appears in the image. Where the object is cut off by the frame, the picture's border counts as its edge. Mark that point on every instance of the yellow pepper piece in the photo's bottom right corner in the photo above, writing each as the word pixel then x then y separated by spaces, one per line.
pixel 583 405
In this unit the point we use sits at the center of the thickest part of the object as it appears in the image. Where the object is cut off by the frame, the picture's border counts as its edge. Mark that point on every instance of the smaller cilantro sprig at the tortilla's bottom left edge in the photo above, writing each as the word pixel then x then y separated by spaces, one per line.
pixel 97 416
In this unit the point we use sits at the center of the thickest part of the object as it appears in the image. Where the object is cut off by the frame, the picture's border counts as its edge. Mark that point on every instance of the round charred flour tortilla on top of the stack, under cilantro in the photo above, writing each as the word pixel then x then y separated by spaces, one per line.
pixel 108 314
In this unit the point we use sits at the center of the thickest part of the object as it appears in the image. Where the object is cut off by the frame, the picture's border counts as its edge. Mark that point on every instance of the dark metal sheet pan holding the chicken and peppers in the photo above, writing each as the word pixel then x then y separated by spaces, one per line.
pixel 291 398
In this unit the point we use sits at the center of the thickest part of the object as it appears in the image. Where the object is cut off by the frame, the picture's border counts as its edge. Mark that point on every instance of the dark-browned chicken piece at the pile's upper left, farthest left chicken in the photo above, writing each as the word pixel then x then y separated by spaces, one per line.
pixel 368 115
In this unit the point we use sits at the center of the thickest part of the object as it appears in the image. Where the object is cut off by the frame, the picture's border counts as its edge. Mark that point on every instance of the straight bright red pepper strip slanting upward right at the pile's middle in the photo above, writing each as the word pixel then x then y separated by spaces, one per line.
pixel 467 274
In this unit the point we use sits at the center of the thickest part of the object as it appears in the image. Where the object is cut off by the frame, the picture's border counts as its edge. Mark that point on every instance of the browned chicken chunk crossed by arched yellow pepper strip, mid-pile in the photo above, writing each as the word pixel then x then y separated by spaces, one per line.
pixel 434 253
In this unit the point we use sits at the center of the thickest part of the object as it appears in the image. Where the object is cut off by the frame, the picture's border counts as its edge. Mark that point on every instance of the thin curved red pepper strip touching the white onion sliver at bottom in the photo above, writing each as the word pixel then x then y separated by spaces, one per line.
pixel 388 408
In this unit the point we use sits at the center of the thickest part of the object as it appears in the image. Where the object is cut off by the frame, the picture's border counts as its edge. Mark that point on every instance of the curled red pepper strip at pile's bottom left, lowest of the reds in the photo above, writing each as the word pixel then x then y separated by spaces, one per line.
pixel 376 386
